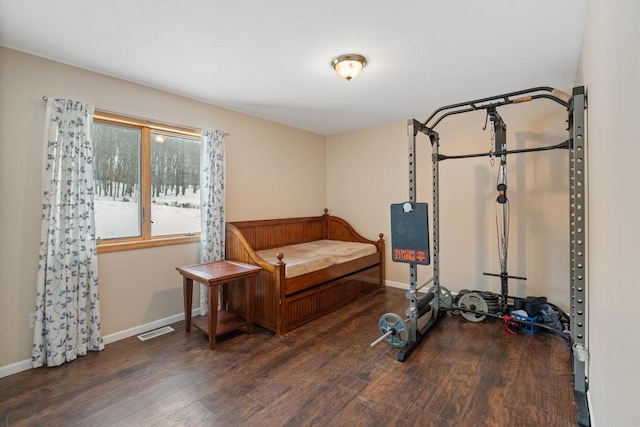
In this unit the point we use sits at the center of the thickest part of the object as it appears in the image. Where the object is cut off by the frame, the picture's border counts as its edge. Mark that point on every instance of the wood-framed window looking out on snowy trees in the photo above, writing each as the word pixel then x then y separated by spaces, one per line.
pixel 147 183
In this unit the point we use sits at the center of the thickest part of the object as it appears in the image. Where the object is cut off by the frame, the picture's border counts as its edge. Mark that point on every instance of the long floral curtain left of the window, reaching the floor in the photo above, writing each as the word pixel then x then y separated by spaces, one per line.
pixel 67 304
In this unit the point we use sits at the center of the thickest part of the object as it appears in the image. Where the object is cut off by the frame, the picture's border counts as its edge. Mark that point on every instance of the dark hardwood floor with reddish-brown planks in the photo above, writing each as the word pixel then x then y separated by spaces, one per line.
pixel 325 374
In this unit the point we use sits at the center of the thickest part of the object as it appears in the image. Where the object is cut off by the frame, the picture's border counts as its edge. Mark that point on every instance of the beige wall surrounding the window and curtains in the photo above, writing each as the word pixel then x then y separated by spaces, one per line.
pixel 272 171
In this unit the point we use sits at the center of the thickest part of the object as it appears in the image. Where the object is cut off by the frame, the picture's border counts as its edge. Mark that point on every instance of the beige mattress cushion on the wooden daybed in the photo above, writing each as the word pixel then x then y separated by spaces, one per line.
pixel 307 257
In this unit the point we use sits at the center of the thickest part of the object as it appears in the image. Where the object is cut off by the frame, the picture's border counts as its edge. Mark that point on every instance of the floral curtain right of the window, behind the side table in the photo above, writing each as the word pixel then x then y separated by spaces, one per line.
pixel 211 202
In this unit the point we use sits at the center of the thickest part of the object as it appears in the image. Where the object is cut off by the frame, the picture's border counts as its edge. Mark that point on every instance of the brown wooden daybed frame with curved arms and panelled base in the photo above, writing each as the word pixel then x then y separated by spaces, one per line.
pixel 285 303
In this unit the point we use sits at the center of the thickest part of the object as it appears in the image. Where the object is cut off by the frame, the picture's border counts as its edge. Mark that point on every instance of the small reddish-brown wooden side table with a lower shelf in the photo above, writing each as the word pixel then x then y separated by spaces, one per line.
pixel 214 274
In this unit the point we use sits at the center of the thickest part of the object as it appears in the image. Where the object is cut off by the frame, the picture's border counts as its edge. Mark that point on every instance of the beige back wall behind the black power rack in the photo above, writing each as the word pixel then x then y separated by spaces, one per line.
pixel 368 170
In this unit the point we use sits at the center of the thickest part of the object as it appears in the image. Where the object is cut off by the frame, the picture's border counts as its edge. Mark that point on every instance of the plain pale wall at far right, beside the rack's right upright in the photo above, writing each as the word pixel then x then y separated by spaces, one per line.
pixel 610 70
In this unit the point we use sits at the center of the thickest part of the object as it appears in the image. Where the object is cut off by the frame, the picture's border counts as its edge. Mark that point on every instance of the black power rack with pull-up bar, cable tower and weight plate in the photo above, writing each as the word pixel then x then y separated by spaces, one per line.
pixel 405 333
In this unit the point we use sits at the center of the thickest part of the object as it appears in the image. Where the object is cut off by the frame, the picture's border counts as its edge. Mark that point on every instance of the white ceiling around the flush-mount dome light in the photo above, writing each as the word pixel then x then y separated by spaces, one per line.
pixel 271 59
